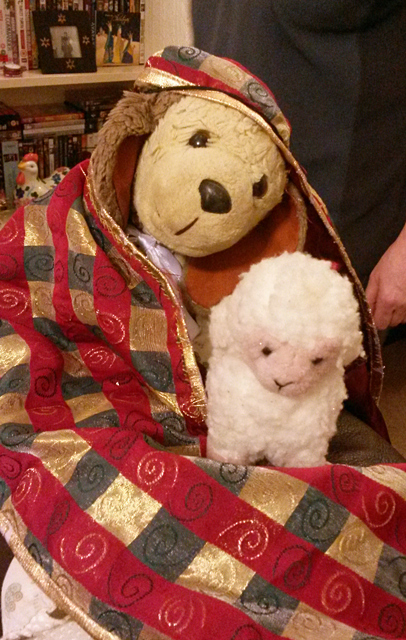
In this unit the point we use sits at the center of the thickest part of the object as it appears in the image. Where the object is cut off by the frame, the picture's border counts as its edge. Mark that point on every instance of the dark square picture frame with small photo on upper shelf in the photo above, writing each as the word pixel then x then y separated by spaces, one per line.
pixel 64 41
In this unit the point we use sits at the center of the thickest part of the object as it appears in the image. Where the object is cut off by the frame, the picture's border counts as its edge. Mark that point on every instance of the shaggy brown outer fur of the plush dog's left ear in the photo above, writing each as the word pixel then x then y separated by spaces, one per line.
pixel 136 114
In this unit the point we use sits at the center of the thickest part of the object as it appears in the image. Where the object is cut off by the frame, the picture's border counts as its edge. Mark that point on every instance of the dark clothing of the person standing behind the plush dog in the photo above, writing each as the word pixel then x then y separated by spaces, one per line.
pixel 338 71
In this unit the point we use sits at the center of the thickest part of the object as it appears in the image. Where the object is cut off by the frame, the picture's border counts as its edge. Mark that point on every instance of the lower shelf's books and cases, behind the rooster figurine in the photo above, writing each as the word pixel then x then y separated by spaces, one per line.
pixel 50 135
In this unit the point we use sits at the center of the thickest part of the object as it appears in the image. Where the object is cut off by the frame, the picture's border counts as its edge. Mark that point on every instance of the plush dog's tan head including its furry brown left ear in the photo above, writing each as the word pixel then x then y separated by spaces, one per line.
pixel 199 176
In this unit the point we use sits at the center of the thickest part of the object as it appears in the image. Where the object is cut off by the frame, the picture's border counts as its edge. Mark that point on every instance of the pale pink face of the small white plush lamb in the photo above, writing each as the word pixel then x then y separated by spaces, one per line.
pixel 287 369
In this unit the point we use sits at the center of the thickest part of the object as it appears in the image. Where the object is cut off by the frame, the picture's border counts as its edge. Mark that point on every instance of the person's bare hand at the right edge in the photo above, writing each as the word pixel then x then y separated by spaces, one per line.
pixel 386 290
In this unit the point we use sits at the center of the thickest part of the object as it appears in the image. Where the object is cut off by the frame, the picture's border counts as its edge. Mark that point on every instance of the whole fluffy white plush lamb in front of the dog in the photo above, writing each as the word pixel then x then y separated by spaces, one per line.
pixel 280 343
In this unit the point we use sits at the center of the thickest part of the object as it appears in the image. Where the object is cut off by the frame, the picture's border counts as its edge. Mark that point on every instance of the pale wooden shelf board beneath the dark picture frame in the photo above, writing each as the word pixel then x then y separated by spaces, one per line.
pixel 102 75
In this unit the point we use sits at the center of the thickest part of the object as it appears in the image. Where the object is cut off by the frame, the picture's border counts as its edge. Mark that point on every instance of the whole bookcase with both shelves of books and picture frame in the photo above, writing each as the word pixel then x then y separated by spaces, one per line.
pixel 50 113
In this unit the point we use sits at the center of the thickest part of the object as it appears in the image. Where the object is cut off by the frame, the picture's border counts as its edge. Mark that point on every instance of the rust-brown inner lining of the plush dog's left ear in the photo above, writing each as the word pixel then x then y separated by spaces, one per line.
pixel 124 172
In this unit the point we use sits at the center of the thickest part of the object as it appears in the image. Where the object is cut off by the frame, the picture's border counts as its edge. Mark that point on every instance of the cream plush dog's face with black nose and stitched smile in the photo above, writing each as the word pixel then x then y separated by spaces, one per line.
pixel 206 176
